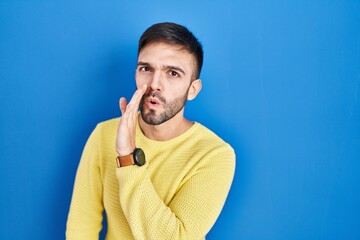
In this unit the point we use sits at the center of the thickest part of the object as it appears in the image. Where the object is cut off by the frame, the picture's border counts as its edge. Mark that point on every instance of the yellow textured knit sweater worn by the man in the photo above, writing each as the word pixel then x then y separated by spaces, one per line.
pixel 177 194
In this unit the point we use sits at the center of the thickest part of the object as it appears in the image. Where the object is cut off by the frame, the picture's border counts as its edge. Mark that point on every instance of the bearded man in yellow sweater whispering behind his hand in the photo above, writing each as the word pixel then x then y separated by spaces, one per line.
pixel 166 177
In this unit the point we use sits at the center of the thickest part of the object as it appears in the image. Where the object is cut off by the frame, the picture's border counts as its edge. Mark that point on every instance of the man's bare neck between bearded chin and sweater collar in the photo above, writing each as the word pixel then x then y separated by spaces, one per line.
pixel 167 130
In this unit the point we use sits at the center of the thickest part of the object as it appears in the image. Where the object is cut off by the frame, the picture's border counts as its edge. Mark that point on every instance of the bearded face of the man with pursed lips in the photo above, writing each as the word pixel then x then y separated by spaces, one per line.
pixel 167 70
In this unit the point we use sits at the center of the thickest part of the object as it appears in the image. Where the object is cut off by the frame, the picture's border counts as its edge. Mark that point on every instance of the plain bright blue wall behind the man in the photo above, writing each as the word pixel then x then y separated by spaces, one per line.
pixel 281 83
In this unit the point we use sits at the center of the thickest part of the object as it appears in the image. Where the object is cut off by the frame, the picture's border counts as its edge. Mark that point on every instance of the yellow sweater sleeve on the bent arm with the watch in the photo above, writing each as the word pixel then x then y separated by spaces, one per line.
pixel 193 210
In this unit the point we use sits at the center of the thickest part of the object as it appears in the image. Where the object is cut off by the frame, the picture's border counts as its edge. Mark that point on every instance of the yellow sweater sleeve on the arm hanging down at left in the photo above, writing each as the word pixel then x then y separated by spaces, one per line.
pixel 85 215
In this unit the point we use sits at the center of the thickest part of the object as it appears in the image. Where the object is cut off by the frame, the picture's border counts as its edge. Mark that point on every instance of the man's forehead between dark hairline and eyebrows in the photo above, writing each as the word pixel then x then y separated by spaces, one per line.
pixel 158 54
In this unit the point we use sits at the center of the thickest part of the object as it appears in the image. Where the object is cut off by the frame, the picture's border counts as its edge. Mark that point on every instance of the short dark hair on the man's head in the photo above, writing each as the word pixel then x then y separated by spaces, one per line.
pixel 175 34
